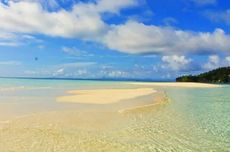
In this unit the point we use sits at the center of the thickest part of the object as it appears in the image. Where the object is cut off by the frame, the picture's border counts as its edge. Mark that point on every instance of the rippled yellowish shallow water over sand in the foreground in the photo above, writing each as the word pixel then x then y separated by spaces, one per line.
pixel 140 131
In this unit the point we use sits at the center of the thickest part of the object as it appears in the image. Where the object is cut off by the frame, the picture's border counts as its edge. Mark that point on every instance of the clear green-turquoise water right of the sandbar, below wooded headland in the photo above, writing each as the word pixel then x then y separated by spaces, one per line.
pixel 208 110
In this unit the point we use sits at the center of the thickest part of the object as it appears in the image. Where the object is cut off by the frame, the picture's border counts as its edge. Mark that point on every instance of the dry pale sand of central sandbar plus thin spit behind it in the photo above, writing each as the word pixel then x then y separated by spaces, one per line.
pixel 107 96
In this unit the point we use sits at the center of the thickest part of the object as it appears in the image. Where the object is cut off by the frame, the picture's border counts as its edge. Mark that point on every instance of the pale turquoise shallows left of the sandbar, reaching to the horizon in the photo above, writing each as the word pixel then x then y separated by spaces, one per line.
pixel 24 96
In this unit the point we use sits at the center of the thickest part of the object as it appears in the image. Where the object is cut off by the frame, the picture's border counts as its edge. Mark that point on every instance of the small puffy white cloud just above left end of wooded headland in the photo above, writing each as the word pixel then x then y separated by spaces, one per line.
pixel 175 62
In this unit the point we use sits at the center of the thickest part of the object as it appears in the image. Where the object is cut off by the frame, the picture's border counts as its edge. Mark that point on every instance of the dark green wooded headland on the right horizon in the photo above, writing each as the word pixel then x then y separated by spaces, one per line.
pixel 220 75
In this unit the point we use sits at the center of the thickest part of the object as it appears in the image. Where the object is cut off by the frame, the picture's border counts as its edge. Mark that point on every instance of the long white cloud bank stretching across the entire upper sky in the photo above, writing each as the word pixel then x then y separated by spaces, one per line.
pixel 84 21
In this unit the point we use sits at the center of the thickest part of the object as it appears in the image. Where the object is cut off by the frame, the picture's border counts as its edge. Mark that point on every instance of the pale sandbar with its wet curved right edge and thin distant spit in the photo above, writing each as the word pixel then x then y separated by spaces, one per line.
pixel 125 98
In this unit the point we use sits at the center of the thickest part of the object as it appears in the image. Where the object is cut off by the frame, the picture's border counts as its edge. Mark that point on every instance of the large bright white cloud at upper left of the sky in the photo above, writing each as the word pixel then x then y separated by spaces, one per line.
pixel 28 17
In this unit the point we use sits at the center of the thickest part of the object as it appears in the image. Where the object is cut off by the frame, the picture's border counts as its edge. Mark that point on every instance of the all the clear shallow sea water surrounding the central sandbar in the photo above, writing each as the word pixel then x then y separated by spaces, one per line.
pixel 192 120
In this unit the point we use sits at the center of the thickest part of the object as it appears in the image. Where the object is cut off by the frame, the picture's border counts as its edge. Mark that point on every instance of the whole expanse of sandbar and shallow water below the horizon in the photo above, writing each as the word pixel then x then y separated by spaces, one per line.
pixel 114 116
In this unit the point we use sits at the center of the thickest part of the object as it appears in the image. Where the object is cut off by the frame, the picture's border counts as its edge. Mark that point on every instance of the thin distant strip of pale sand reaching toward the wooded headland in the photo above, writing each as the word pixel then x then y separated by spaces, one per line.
pixel 177 84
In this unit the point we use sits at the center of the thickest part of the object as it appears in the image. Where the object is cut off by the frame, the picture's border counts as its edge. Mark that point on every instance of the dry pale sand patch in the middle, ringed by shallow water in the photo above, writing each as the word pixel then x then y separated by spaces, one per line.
pixel 104 96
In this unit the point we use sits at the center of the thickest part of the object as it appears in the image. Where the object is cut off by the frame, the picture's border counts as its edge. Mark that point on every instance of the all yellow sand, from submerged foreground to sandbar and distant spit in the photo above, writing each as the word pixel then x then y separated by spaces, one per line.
pixel 148 127
